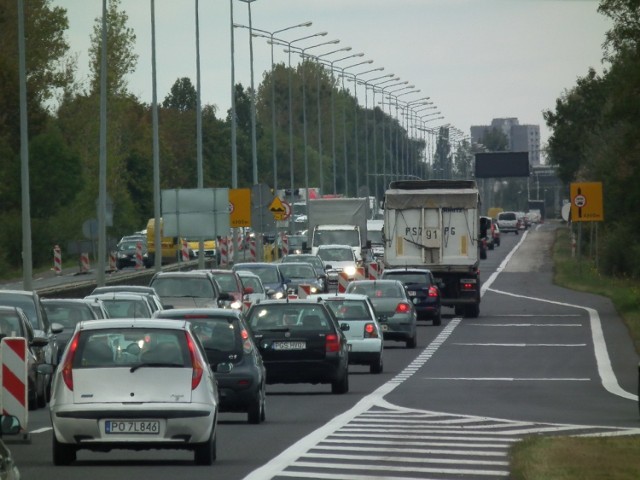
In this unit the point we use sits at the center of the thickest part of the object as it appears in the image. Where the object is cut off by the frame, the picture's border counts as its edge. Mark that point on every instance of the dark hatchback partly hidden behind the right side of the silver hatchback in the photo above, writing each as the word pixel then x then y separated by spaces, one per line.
pixel 233 357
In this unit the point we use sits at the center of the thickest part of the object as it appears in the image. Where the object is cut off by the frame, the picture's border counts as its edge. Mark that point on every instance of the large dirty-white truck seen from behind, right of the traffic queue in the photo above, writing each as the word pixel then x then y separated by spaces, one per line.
pixel 434 224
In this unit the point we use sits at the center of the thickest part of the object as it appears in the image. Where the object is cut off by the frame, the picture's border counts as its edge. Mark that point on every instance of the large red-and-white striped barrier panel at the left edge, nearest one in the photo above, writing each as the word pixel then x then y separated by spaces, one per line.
pixel 14 398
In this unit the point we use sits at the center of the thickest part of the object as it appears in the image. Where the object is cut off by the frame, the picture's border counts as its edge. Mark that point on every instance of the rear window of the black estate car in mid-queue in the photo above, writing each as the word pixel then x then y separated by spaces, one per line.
pixel 290 317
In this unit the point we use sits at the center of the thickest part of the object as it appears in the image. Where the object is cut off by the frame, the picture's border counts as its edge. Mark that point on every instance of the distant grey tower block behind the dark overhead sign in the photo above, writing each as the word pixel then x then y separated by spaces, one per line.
pixel 521 138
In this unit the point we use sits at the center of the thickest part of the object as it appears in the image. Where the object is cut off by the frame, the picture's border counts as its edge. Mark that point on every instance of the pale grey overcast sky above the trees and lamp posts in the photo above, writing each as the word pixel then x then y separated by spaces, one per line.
pixel 476 59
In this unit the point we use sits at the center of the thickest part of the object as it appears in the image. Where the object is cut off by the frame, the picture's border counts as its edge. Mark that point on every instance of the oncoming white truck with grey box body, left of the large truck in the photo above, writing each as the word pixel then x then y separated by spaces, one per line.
pixel 338 221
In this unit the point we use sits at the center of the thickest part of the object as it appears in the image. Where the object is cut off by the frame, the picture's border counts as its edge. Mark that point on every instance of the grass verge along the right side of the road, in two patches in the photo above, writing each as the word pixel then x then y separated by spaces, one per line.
pixel 571 458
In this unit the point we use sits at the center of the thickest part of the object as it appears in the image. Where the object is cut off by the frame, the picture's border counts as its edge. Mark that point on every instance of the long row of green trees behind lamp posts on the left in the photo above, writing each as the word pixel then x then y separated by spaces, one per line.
pixel 64 146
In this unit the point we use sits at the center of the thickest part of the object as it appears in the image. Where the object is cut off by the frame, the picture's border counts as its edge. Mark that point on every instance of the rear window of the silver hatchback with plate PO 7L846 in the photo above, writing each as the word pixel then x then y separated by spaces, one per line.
pixel 130 347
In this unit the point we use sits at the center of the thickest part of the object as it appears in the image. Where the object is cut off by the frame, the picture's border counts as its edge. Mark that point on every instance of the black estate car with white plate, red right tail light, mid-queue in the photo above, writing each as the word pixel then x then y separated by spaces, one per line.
pixel 300 342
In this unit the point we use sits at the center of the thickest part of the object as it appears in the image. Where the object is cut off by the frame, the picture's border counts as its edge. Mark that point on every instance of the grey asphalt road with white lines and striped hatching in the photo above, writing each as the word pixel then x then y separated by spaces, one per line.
pixel 538 360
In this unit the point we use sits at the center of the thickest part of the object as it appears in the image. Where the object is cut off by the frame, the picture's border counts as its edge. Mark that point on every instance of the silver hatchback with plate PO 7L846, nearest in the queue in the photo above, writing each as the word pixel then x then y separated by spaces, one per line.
pixel 135 384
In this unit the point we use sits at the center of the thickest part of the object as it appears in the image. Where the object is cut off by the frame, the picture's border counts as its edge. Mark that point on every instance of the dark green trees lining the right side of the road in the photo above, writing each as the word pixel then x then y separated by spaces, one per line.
pixel 596 136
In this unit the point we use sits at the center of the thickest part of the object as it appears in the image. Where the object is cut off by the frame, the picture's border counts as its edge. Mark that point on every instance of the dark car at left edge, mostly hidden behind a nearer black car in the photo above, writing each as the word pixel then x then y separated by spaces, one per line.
pixel 30 303
